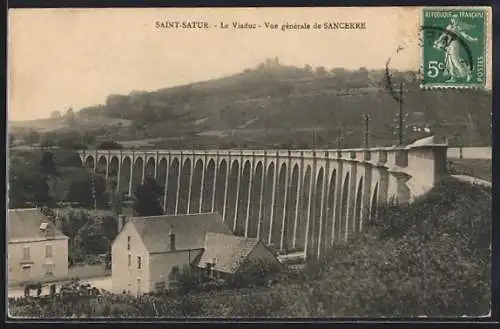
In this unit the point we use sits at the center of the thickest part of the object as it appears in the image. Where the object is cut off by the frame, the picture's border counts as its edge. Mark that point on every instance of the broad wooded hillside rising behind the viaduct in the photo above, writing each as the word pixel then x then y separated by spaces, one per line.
pixel 263 106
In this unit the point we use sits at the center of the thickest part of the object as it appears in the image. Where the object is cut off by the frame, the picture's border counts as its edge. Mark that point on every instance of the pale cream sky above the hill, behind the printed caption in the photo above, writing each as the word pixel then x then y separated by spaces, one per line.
pixel 59 58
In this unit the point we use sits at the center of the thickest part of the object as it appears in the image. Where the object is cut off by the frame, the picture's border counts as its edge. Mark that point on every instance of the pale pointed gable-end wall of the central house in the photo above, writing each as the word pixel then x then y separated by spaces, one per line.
pixel 124 277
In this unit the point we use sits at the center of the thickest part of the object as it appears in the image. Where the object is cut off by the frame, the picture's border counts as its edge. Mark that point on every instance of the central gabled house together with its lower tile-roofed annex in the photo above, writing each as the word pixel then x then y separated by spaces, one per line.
pixel 149 252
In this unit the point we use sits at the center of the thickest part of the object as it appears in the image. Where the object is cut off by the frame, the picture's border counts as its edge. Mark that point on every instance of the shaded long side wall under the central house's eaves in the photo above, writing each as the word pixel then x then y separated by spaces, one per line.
pixel 161 265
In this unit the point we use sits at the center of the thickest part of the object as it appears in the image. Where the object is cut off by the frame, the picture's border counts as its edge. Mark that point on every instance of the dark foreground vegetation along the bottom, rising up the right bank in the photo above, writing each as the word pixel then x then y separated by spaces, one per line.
pixel 429 258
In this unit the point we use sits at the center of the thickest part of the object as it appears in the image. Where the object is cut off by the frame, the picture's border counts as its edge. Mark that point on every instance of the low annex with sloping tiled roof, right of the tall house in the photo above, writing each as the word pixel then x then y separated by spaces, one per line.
pixel 224 254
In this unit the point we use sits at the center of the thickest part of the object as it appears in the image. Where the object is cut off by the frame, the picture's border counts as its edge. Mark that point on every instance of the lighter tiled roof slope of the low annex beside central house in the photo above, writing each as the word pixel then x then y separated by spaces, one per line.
pixel 229 251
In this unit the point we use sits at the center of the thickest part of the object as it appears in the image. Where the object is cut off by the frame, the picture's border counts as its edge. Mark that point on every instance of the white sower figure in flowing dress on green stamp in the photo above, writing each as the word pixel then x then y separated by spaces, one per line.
pixel 456 67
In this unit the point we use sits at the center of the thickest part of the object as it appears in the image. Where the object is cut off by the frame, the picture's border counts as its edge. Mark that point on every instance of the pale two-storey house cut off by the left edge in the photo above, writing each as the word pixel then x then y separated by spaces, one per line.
pixel 37 250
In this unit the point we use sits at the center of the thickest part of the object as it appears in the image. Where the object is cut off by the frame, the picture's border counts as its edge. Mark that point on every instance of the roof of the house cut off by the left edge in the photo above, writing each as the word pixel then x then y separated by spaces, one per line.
pixel 25 224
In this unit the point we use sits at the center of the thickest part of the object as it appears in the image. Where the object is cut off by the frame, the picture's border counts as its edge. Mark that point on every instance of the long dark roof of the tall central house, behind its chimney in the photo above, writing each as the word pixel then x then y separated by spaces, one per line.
pixel 189 230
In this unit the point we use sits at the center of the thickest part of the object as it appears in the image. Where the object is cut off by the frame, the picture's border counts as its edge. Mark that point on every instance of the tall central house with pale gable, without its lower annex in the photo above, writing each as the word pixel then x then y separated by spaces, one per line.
pixel 149 251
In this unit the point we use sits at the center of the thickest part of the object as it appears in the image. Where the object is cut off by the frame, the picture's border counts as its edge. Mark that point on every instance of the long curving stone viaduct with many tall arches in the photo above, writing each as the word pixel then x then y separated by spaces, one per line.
pixel 294 200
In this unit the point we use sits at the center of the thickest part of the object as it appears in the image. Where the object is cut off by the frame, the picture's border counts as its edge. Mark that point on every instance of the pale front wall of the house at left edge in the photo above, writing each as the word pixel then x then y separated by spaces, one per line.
pixel 37 261
